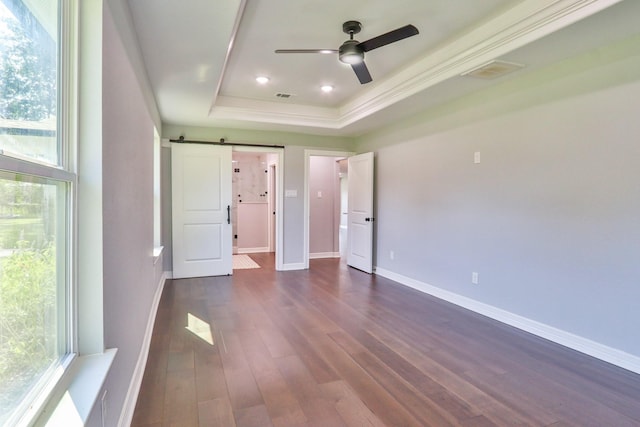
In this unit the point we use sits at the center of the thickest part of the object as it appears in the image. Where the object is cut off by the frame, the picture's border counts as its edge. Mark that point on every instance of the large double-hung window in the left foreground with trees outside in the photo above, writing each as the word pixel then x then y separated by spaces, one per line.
pixel 36 196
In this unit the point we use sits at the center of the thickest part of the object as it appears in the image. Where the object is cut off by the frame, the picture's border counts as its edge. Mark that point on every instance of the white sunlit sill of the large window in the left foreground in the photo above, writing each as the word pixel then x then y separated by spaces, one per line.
pixel 87 377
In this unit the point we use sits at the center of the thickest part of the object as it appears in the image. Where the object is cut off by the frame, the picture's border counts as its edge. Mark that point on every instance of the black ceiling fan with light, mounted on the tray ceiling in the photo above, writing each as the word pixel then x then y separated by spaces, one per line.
pixel 352 51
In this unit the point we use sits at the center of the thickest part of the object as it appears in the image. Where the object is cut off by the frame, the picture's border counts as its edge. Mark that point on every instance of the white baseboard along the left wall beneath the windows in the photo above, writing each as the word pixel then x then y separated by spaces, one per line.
pixel 126 416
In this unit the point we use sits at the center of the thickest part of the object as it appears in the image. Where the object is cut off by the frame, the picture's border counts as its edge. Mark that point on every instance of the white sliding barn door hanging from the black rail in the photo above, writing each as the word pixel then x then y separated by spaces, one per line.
pixel 201 194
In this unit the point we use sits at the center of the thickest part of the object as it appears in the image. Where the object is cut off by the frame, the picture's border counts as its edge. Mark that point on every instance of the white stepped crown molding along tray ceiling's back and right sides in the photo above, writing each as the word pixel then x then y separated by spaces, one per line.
pixel 524 23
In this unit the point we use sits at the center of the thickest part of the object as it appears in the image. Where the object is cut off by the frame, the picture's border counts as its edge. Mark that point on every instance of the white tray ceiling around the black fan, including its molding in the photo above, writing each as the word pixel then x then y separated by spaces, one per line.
pixel 202 57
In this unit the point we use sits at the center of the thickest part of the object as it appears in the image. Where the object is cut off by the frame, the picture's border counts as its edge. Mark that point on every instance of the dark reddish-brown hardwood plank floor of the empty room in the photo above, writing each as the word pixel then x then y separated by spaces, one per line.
pixel 333 346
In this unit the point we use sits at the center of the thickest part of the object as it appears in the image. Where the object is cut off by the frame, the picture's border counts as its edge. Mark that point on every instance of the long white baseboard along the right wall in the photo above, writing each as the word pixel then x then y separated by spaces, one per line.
pixel 558 336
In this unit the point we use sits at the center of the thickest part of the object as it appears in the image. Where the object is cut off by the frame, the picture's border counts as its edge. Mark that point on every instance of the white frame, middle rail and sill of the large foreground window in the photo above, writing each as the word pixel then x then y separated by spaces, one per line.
pixel 78 379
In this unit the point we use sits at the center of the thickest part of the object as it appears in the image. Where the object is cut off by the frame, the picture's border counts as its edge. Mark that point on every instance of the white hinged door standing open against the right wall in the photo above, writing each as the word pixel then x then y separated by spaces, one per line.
pixel 360 212
